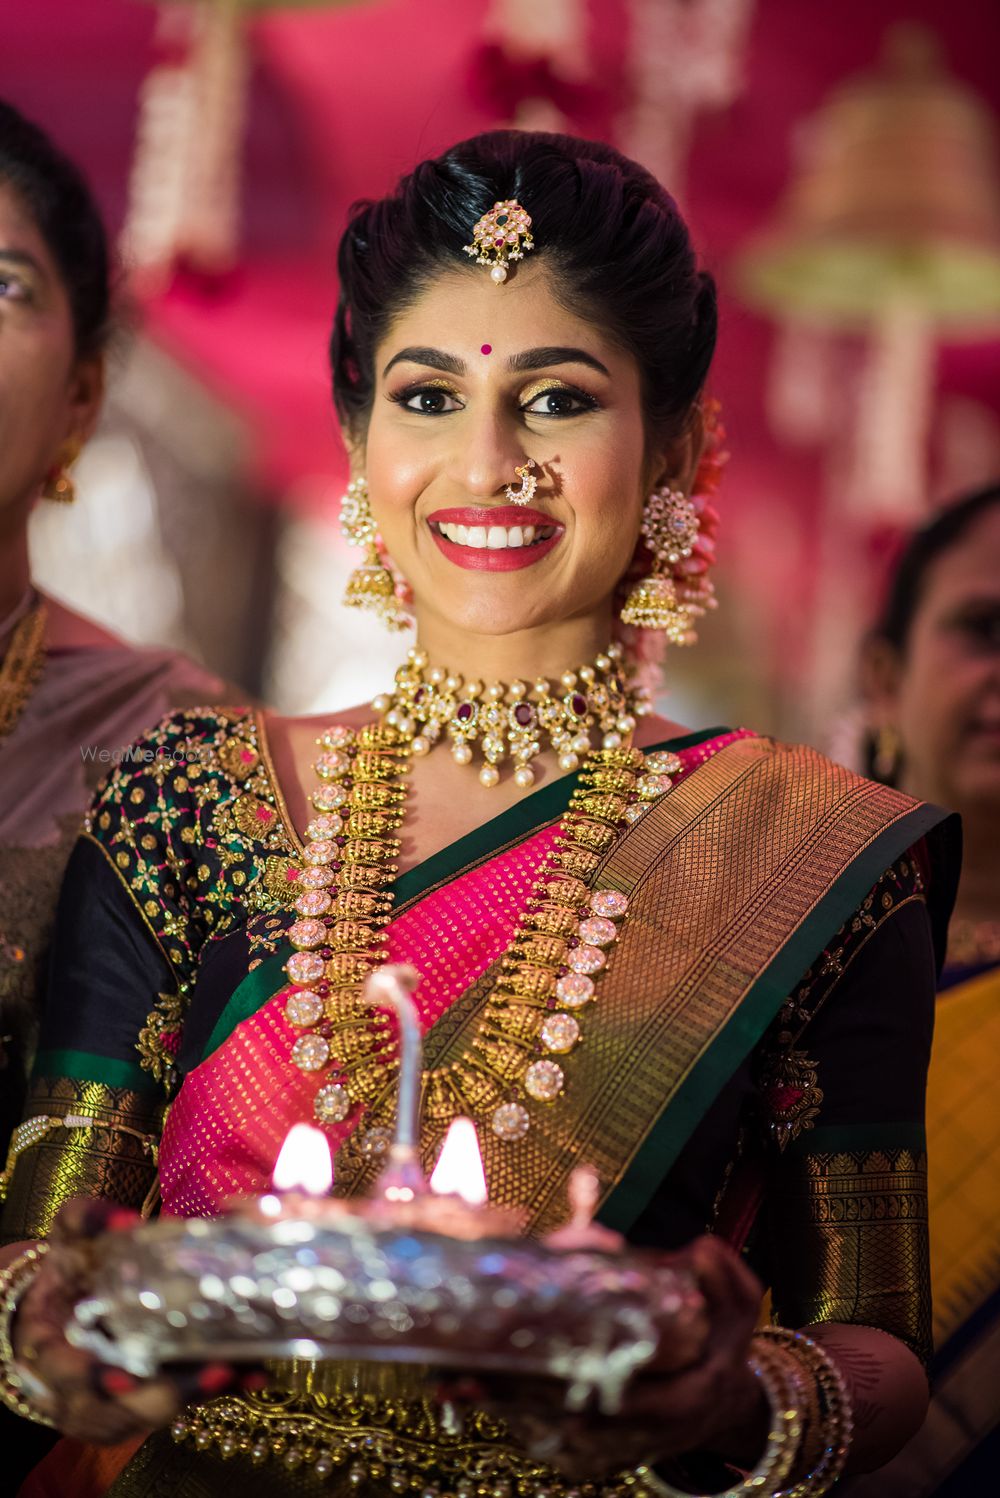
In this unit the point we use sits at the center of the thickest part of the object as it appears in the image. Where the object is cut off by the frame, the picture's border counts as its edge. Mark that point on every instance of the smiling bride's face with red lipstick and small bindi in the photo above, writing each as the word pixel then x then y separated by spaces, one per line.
pixel 471 381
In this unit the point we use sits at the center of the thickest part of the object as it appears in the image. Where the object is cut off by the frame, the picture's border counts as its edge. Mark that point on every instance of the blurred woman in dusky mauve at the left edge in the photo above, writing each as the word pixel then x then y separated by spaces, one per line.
pixel 71 694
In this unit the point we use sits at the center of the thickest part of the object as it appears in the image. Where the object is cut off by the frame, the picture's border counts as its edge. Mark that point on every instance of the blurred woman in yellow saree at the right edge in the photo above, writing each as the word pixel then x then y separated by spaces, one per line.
pixel 933 684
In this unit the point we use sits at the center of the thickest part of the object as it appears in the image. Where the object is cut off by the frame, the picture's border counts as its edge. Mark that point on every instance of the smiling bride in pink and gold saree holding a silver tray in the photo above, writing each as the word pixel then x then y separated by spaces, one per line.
pixel 698 959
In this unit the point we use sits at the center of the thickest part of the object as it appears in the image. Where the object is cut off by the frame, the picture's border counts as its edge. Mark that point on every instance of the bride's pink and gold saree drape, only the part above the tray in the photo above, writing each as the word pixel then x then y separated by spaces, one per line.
pixel 734 885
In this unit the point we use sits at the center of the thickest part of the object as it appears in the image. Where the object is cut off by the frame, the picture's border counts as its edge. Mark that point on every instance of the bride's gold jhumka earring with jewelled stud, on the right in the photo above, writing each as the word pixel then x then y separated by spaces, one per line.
pixel 664 600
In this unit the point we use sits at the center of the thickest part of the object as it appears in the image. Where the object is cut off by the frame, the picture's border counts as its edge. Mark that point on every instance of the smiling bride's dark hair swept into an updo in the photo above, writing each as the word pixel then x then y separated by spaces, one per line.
pixel 612 237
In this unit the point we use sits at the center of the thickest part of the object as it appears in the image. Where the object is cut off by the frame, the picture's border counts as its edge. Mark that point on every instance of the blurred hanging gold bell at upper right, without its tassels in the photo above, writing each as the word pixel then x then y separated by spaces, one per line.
pixel 897 191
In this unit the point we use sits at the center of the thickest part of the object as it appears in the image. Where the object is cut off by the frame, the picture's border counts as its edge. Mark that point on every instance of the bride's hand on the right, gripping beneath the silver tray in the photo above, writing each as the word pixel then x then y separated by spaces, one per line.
pixel 715 1406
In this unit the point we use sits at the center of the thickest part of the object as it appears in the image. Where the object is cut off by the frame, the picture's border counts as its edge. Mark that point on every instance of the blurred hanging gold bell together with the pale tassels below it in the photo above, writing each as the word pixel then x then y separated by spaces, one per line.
pixel 891 231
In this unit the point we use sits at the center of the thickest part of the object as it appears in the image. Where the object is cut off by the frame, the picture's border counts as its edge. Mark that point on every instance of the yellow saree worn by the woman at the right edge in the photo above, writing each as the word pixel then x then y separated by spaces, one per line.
pixel 959 1448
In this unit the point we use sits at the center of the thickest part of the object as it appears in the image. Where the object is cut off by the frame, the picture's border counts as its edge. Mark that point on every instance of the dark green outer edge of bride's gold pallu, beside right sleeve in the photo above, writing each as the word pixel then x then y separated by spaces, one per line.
pixel 749 1021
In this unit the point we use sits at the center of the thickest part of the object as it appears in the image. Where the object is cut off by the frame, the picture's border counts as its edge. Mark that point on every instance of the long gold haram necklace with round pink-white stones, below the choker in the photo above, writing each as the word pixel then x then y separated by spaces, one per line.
pixel 547 977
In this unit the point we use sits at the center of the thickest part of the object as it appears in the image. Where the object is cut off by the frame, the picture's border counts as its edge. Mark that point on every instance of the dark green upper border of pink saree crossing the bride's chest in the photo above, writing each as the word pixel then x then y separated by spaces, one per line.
pixel 466 853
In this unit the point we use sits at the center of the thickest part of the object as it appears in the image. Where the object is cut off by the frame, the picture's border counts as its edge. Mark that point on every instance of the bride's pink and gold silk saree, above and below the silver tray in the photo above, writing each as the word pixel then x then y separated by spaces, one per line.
pixel 736 882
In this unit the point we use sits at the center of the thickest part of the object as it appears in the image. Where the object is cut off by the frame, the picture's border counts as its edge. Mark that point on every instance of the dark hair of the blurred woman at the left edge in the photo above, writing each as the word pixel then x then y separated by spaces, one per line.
pixel 64 209
